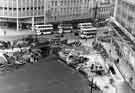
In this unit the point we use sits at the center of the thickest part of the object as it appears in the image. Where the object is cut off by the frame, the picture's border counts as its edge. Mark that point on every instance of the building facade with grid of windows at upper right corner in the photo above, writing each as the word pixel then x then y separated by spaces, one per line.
pixel 125 15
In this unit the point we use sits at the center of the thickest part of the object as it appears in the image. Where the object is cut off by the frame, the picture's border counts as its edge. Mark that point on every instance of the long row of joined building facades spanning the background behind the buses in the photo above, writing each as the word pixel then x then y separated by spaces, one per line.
pixel 26 13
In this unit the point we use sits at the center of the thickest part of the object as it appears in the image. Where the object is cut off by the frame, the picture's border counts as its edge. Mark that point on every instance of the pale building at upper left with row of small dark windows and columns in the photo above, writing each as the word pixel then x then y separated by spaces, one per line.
pixel 21 12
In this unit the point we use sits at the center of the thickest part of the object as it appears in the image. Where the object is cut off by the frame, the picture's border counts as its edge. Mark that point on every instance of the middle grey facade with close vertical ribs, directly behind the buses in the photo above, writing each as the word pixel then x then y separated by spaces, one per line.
pixel 69 10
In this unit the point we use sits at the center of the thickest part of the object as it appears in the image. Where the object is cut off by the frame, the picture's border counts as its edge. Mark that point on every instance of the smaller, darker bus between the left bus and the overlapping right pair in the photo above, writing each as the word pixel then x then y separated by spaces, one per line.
pixel 63 28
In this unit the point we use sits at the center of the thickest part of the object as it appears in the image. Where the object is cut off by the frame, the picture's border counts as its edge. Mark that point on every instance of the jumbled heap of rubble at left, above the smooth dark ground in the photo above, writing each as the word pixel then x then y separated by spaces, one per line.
pixel 18 52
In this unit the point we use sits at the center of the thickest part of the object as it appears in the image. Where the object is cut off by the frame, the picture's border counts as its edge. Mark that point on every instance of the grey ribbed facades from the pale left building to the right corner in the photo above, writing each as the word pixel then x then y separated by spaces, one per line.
pixel 69 10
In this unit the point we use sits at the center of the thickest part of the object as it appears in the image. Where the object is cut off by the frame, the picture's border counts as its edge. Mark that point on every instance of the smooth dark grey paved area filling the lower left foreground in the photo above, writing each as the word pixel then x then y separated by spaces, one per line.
pixel 48 76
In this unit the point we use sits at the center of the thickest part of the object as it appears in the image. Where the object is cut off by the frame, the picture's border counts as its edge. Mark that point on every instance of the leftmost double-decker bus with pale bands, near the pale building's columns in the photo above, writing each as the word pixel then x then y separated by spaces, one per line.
pixel 43 29
